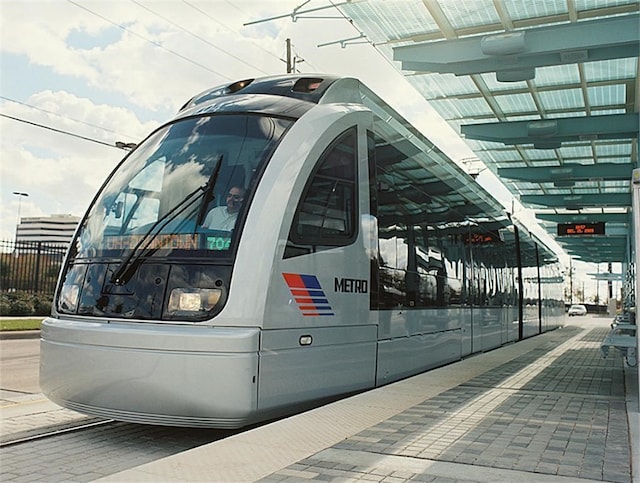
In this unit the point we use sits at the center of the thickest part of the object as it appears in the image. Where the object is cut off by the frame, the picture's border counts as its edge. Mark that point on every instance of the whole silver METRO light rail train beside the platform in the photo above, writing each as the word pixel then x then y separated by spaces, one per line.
pixel 281 242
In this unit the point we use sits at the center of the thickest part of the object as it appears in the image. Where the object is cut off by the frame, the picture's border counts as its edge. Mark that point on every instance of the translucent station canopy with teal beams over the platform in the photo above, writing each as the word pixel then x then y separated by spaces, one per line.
pixel 545 94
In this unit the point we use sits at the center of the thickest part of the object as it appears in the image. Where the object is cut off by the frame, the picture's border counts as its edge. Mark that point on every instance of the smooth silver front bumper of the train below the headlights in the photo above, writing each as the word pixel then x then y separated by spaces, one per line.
pixel 176 375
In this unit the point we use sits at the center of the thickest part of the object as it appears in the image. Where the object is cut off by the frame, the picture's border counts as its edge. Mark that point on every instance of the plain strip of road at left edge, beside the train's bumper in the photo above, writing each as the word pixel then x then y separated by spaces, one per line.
pixel 19 365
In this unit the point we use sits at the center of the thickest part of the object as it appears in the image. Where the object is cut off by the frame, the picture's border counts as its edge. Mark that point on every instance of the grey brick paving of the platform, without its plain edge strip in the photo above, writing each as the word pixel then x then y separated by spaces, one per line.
pixel 555 411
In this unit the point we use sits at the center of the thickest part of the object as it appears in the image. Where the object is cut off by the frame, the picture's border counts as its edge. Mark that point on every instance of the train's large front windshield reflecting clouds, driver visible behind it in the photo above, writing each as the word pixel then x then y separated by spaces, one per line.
pixel 182 193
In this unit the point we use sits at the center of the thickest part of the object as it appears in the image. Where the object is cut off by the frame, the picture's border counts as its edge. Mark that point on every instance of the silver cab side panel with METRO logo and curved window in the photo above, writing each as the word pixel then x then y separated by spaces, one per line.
pixel 318 340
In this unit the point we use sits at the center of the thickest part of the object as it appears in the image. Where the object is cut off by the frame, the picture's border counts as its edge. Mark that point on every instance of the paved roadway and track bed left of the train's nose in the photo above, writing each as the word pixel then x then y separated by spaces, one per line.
pixel 79 455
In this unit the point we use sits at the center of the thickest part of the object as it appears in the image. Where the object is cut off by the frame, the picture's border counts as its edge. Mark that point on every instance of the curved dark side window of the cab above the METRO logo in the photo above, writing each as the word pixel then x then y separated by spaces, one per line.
pixel 326 214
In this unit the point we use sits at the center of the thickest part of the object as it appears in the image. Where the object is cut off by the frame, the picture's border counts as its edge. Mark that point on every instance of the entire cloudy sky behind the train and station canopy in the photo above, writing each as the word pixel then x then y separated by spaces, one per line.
pixel 77 76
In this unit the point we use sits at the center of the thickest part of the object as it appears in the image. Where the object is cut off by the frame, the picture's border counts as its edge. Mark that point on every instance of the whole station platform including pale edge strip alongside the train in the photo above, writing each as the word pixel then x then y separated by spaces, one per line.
pixel 549 408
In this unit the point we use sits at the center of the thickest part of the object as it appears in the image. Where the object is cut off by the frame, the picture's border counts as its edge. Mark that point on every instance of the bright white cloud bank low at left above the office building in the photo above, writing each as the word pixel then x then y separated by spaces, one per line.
pixel 61 173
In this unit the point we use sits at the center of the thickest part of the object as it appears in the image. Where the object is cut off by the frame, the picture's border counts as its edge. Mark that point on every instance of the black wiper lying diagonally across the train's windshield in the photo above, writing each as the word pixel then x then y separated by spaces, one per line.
pixel 126 268
